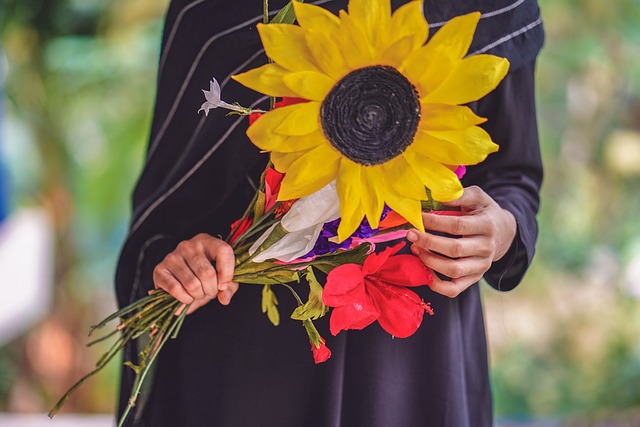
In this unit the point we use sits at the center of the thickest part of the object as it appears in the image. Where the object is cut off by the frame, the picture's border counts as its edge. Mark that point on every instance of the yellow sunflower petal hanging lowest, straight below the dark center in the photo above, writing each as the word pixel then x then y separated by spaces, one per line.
pixel 350 190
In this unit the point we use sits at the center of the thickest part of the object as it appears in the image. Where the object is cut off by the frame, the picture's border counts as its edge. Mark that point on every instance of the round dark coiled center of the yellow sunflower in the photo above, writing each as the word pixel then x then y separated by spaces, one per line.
pixel 371 115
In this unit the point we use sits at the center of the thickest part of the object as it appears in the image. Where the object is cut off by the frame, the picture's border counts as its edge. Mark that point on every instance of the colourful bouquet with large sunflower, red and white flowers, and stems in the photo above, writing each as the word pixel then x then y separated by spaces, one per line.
pixel 370 130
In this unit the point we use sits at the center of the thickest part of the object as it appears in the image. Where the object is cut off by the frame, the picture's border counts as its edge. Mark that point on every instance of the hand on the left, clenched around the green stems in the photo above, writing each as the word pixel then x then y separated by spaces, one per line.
pixel 189 276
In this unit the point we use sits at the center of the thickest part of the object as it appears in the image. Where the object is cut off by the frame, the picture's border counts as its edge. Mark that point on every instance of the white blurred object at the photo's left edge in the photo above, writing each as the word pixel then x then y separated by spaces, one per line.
pixel 26 271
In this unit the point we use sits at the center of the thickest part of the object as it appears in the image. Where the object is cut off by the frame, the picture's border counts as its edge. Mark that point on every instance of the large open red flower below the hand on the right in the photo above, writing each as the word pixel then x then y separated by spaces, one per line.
pixel 378 290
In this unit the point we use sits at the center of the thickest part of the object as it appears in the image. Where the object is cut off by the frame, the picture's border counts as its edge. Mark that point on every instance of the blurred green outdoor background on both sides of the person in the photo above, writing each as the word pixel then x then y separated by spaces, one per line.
pixel 79 81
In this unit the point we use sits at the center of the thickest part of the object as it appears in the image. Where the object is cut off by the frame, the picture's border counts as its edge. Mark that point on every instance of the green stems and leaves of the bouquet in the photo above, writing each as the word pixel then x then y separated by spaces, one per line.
pixel 158 317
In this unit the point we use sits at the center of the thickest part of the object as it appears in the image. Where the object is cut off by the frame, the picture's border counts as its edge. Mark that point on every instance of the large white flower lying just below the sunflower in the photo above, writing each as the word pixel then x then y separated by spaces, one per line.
pixel 303 224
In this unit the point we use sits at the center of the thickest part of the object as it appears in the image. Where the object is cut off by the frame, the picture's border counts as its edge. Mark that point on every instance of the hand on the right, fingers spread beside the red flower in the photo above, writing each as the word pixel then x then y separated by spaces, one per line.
pixel 481 234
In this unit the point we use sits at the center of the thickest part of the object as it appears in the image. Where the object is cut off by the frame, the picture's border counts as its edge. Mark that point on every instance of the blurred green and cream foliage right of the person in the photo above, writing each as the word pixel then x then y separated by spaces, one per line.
pixel 565 343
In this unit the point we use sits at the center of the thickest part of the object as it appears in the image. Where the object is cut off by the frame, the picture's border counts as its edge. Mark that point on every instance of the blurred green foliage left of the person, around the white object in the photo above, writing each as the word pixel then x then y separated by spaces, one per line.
pixel 79 96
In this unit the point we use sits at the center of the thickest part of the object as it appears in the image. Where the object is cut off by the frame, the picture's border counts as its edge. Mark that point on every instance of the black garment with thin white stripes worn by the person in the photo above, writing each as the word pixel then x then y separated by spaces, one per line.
pixel 230 366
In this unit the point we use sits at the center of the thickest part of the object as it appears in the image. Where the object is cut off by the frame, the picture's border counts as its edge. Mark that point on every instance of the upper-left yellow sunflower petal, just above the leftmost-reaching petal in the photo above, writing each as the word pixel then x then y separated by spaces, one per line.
pixel 286 45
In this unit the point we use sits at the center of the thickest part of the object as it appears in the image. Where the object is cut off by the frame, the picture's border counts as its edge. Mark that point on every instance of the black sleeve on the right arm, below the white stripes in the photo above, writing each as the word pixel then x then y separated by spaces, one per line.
pixel 513 175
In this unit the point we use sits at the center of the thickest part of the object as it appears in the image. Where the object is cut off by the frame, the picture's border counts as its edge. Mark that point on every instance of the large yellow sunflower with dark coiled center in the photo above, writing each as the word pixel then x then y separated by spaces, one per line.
pixel 383 113
